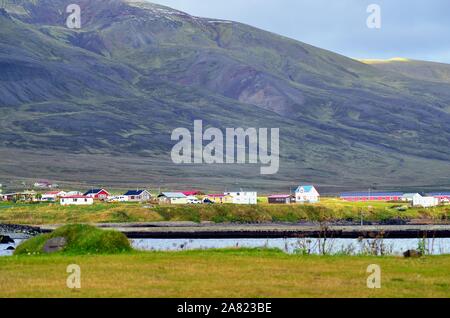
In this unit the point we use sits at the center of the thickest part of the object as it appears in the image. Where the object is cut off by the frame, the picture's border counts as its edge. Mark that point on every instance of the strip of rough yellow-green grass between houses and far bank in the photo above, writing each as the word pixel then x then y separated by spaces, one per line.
pixel 327 210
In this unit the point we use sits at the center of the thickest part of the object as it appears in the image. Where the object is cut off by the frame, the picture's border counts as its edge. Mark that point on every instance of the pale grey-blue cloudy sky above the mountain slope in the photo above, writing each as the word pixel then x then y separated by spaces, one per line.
pixel 415 29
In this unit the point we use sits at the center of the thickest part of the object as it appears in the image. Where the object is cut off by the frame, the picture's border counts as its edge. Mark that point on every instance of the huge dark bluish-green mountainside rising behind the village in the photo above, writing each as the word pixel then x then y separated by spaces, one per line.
pixel 98 105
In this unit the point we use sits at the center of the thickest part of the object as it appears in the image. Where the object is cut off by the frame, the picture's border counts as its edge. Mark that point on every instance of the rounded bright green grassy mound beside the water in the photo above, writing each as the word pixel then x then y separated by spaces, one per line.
pixel 80 239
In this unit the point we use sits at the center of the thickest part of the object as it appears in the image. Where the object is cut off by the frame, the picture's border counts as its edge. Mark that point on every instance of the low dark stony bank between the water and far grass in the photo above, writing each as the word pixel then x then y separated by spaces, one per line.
pixel 188 230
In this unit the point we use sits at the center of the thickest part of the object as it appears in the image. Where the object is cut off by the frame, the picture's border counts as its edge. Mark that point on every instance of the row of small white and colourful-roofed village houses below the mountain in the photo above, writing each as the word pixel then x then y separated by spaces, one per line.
pixel 45 191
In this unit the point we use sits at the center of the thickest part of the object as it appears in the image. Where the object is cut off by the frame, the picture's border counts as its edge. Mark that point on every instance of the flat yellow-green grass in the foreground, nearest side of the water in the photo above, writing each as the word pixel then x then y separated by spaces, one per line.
pixel 224 273
